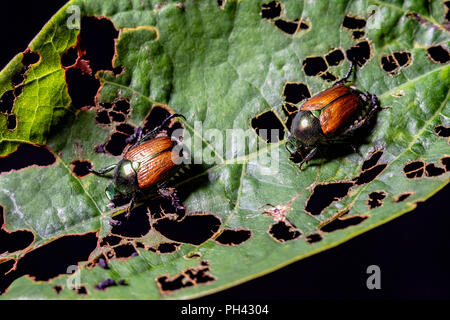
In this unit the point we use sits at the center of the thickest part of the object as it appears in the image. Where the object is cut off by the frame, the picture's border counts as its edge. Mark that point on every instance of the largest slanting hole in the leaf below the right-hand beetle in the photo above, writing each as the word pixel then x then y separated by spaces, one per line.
pixel 324 194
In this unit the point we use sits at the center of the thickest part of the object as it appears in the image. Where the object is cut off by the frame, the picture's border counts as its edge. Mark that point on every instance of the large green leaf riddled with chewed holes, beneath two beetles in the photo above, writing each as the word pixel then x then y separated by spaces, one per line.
pixel 74 100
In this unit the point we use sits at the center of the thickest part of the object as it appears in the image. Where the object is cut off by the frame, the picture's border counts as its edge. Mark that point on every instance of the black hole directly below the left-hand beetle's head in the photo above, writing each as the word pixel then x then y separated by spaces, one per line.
pixel 136 225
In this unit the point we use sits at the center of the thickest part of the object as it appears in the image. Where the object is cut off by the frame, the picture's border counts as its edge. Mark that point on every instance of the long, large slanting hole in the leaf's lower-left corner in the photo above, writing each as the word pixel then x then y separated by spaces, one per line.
pixel 52 259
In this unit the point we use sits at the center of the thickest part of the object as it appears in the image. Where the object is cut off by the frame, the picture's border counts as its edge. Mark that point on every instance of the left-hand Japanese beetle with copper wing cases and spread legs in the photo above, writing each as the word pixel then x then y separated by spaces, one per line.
pixel 145 166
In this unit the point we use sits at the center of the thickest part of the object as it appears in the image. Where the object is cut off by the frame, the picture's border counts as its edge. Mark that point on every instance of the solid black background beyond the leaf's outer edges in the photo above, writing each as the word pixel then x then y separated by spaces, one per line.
pixel 412 251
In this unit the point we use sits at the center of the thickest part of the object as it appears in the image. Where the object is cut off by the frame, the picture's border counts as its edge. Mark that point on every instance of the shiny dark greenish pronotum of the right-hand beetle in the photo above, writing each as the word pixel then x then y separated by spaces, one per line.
pixel 306 128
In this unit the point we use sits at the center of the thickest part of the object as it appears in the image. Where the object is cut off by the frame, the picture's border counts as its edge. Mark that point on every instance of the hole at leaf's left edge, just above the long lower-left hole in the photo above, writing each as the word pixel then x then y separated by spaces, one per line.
pixel 13 241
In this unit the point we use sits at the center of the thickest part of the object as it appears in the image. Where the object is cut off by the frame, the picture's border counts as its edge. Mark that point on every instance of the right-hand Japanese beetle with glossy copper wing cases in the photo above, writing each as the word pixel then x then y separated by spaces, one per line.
pixel 331 116
